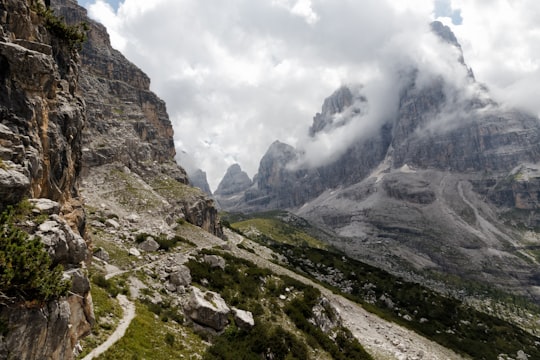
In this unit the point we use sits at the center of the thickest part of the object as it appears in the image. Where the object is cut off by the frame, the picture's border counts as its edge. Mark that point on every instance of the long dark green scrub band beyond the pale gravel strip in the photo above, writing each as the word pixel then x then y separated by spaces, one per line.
pixel 443 319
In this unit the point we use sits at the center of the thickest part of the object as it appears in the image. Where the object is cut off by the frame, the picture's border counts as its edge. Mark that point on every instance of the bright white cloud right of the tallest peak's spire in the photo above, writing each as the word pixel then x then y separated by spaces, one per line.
pixel 501 42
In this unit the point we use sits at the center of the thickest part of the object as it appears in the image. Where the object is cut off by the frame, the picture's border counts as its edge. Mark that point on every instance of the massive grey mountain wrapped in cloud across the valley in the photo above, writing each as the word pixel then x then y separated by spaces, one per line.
pixel 447 186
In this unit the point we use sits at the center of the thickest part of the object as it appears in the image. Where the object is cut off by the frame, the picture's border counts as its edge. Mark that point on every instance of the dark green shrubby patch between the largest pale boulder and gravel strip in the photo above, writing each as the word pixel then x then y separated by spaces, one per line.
pixel 248 287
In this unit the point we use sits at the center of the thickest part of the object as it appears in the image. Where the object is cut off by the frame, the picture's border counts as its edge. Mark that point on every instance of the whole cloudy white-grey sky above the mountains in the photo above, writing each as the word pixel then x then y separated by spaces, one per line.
pixel 239 74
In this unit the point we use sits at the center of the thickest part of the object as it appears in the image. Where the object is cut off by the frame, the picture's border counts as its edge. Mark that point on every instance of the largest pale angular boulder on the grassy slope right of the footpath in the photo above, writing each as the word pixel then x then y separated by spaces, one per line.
pixel 208 309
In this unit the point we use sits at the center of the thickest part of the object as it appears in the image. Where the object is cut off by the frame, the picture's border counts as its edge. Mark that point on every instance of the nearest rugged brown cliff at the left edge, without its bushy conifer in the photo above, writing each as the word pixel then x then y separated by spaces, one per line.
pixel 42 117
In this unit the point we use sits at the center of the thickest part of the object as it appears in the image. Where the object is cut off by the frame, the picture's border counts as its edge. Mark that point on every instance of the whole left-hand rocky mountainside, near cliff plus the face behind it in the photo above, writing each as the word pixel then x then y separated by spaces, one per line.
pixel 74 111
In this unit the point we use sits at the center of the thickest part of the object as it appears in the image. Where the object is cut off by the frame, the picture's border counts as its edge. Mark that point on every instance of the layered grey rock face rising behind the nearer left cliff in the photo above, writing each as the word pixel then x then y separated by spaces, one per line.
pixel 129 130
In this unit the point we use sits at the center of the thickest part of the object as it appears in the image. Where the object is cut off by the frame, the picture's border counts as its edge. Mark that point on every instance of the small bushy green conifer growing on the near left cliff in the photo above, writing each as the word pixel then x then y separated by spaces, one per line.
pixel 26 271
